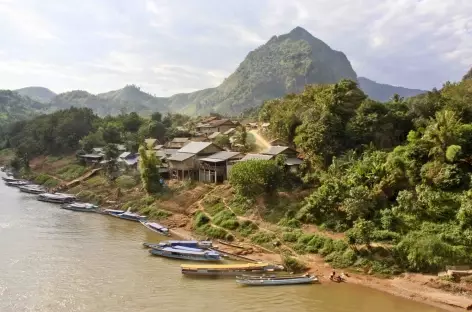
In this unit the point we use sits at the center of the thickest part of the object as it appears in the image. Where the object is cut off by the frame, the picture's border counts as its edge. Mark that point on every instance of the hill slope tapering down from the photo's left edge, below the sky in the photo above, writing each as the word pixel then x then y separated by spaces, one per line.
pixel 14 107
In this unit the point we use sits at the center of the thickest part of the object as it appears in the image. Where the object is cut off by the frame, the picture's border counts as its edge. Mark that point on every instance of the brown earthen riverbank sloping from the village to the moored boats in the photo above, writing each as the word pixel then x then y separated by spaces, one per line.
pixel 182 201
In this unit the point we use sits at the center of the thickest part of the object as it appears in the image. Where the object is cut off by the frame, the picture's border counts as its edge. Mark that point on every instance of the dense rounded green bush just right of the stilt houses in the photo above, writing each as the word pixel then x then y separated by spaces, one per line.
pixel 254 177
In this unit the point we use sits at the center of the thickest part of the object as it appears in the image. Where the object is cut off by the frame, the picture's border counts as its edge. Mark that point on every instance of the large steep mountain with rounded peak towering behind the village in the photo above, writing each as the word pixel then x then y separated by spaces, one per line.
pixel 285 64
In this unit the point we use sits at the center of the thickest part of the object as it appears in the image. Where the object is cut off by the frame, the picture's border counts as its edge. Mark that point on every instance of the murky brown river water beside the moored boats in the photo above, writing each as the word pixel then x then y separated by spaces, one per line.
pixel 57 260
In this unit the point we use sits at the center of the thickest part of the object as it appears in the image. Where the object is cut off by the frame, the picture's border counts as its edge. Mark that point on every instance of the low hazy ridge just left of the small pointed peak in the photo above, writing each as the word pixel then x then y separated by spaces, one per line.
pixel 101 106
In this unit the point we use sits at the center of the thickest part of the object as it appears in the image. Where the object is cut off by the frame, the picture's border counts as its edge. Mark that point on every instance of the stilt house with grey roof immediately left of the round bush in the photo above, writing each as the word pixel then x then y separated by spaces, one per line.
pixel 215 168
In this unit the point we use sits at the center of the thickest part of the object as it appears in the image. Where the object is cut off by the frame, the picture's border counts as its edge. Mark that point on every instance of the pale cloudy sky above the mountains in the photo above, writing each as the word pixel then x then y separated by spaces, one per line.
pixel 174 46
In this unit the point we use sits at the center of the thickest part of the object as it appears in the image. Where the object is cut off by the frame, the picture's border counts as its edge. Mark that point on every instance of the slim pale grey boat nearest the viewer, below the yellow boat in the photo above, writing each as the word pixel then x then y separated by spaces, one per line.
pixel 276 281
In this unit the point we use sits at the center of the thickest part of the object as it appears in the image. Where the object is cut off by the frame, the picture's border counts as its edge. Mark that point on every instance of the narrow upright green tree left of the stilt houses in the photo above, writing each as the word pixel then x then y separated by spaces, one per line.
pixel 149 169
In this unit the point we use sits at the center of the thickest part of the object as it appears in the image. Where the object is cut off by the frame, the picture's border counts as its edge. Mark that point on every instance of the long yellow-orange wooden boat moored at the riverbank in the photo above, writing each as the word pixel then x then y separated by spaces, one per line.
pixel 228 269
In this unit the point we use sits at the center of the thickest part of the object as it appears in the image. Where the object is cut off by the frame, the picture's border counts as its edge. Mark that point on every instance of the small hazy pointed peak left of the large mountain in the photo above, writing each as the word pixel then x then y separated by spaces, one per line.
pixel 131 95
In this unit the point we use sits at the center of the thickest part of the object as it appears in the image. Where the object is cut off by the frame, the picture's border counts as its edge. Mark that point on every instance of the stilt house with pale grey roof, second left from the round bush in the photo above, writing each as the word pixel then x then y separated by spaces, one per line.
pixel 184 164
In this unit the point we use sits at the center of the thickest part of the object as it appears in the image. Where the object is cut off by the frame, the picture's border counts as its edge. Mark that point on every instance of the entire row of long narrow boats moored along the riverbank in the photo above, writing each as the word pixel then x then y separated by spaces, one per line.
pixel 251 274
